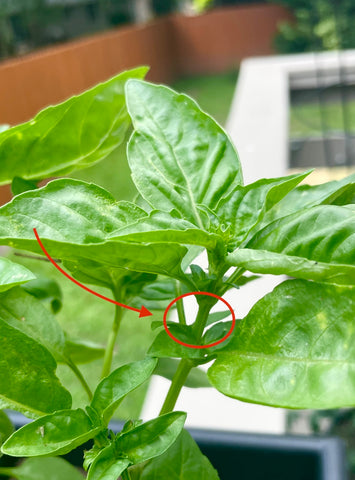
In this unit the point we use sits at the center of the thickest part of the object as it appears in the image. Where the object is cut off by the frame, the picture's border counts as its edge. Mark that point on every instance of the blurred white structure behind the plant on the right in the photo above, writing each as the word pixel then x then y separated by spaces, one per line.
pixel 258 125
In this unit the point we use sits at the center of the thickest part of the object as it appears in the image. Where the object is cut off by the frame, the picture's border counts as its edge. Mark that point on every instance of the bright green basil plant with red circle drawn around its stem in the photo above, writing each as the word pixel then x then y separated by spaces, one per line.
pixel 294 349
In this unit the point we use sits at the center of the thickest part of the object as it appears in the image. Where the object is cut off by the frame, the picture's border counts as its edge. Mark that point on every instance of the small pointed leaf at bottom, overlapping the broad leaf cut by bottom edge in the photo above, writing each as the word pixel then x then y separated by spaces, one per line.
pixel 137 445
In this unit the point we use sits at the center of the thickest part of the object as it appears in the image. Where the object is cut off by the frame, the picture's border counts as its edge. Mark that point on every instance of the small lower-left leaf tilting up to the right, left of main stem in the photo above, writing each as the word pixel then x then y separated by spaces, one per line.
pixel 112 389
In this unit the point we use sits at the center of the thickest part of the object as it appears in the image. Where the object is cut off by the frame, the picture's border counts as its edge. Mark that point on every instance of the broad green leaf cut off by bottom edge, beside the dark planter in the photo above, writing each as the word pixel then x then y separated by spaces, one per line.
pixel 182 461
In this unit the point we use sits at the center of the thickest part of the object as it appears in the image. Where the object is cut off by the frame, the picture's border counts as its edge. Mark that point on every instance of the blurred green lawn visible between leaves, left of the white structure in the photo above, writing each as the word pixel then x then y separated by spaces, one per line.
pixel 90 318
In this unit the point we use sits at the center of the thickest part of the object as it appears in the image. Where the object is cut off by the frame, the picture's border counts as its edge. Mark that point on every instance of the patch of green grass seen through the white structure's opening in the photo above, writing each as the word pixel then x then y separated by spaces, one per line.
pixel 306 120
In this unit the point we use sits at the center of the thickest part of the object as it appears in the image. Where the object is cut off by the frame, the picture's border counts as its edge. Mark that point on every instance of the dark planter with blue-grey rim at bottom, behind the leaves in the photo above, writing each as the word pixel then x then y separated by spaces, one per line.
pixel 243 456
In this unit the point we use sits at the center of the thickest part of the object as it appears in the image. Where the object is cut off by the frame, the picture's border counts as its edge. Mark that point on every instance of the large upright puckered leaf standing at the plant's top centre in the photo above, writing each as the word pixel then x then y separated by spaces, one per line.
pixel 175 151
